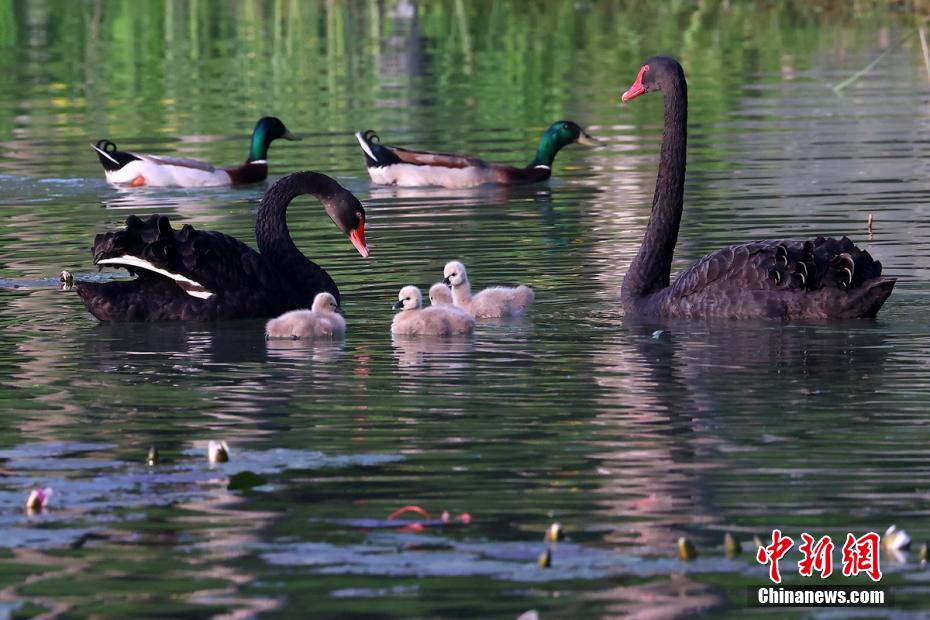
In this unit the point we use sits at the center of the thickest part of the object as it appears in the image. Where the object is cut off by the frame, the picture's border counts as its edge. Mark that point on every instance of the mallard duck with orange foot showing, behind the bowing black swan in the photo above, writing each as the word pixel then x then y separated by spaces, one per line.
pixel 140 169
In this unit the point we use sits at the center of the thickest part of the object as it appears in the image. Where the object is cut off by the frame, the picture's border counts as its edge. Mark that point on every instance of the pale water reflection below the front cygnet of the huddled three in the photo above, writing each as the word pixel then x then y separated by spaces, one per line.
pixel 435 356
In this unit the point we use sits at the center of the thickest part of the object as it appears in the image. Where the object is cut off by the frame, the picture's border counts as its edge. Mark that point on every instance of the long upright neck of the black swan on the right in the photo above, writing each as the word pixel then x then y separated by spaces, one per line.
pixel 651 270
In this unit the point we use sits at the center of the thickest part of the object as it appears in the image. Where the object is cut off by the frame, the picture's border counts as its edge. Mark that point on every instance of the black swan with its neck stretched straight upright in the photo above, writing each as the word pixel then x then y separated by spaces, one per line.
pixel 785 278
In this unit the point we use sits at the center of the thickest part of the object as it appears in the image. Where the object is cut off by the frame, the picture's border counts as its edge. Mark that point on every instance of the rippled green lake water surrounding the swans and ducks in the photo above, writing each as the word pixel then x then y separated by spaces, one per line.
pixel 628 437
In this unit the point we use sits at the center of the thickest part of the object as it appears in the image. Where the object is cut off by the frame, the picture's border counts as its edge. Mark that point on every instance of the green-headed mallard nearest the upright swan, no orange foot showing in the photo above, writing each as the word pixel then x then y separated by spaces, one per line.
pixel 391 165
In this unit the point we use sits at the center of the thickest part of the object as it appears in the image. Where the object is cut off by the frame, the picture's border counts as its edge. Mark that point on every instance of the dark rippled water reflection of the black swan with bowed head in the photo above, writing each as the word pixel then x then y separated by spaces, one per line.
pixel 234 355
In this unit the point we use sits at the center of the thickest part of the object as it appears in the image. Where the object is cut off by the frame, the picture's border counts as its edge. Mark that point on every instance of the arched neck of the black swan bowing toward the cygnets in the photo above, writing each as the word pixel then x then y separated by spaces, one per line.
pixel 271 232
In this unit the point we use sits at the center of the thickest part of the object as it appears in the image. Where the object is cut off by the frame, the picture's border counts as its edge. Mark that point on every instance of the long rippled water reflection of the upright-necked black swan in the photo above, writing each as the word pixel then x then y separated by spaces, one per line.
pixel 687 400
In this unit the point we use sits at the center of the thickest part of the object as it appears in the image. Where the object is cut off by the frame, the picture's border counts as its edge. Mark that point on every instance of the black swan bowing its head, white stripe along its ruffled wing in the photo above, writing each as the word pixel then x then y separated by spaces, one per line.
pixel 189 274
